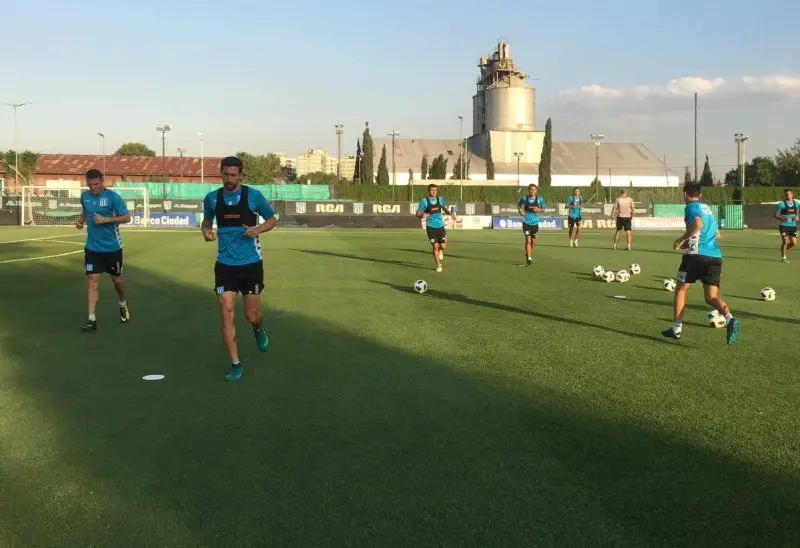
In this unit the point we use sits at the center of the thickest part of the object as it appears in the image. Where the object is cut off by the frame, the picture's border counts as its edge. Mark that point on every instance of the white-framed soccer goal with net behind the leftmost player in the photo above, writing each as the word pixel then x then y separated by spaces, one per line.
pixel 61 205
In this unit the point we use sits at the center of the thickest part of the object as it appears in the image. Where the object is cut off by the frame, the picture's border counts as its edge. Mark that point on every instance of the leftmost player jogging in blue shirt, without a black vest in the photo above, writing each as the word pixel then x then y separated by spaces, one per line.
pixel 103 210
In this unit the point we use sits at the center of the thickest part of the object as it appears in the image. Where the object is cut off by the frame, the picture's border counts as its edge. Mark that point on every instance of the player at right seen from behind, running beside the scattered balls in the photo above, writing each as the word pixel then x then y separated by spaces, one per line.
pixel 702 261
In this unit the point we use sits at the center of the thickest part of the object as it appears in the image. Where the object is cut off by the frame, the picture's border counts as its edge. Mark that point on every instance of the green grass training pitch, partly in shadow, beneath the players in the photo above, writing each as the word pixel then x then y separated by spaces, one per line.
pixel 507 406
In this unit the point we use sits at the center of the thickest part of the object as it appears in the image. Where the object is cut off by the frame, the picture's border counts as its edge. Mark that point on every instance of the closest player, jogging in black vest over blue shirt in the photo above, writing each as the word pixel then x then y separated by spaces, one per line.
pixel 239 266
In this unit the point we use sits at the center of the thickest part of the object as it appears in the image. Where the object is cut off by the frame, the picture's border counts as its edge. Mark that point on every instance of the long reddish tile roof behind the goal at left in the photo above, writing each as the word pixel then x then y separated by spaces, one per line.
pixel 78 164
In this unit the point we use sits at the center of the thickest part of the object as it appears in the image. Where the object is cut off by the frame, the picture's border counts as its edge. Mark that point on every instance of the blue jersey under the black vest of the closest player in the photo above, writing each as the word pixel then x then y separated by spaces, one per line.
pixel 233 247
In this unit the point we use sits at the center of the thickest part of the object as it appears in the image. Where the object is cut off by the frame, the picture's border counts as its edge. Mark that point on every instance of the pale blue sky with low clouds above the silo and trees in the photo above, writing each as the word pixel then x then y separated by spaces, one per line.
pixel 276 76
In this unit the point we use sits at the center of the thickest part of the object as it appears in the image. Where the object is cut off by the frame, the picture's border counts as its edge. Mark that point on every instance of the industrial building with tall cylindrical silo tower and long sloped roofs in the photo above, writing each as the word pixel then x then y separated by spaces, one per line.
pixel 504 111
